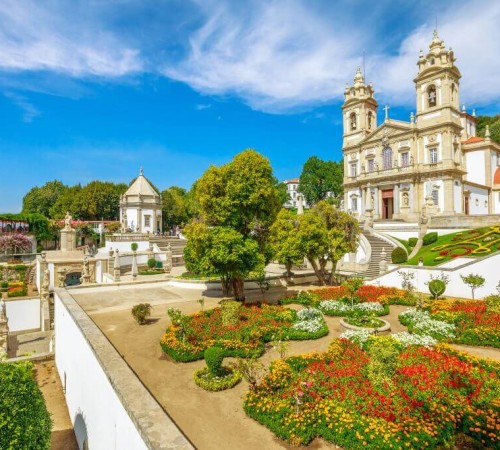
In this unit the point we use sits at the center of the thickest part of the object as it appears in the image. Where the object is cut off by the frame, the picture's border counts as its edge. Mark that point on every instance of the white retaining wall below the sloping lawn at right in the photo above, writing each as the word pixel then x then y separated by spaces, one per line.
pixel 486 267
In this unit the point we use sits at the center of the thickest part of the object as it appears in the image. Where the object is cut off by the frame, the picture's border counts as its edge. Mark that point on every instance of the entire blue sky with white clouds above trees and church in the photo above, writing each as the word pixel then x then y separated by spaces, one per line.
pixel 95 89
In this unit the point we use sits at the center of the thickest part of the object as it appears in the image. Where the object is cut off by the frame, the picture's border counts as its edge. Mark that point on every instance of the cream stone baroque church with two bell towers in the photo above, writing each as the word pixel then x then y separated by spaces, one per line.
pixel 432 165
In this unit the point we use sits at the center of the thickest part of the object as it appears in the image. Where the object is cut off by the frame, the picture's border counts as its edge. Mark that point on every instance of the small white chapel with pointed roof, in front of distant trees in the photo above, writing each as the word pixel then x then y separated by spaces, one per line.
pixel 140 207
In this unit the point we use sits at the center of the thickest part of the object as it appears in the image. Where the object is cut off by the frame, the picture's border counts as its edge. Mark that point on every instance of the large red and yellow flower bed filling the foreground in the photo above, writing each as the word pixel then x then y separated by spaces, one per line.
pixel 433 395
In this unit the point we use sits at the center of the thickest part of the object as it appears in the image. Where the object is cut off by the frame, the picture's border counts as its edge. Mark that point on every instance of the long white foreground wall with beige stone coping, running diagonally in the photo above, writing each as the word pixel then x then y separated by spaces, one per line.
pixel 107 404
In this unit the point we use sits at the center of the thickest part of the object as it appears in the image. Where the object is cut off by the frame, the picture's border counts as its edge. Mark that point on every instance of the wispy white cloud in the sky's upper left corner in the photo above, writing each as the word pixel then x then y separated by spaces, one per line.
pixel 60 38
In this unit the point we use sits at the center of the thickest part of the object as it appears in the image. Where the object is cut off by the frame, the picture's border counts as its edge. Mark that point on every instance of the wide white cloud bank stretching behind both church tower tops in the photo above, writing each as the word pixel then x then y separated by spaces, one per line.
pixel 284 56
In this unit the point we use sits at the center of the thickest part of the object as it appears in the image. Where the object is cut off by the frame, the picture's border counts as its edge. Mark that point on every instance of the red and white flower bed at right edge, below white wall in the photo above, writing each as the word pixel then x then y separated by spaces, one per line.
pixel 470 322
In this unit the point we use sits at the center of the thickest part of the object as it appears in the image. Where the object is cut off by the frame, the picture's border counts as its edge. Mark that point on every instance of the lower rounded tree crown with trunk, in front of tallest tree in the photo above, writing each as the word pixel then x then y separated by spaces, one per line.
pixel 222 251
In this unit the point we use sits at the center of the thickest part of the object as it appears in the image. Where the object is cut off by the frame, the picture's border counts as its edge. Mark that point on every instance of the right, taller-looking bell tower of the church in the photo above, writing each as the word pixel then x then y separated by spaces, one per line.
pixel 437 86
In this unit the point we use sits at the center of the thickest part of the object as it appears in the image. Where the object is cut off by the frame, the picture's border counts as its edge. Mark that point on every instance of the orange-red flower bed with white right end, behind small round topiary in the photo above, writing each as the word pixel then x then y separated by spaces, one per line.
pixel 256 325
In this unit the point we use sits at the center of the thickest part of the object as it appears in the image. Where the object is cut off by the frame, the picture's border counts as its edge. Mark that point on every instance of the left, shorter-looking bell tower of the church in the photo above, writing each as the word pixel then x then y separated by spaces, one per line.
pixel 359 111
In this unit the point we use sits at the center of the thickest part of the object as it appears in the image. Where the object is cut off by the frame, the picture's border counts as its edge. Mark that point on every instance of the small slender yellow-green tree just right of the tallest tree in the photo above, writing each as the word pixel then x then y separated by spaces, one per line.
pixel 283 240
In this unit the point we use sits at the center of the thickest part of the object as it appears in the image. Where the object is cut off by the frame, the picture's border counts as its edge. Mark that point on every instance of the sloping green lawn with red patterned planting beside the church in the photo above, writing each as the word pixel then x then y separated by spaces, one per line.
pixel 472 243
